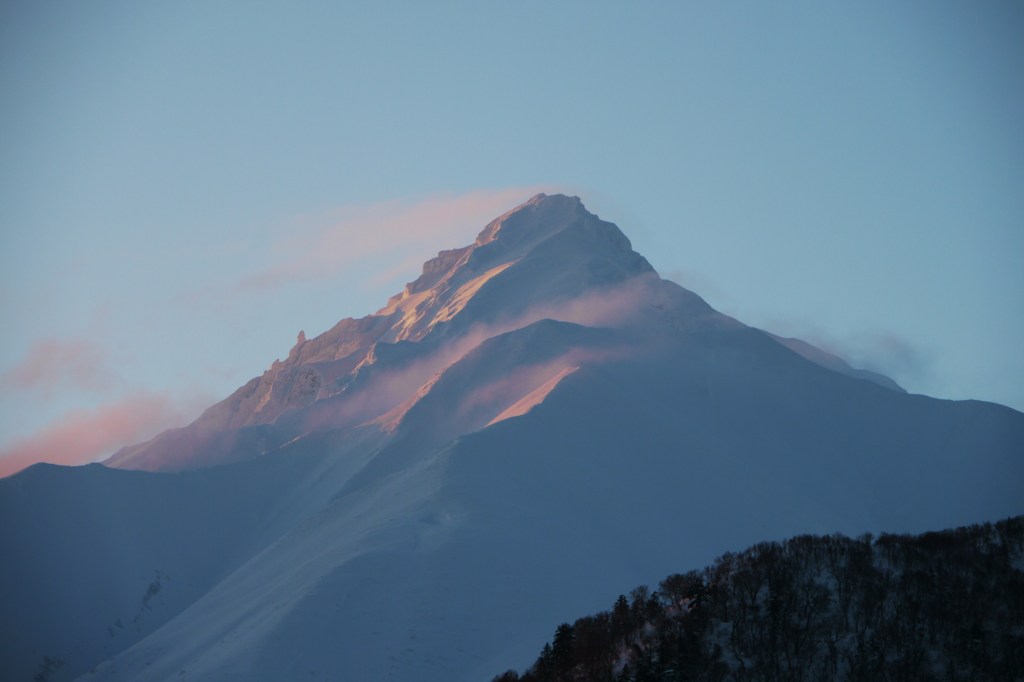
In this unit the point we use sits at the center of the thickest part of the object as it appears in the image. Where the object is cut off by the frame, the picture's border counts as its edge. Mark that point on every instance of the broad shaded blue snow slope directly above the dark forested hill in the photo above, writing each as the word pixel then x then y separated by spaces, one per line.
pixel 454 565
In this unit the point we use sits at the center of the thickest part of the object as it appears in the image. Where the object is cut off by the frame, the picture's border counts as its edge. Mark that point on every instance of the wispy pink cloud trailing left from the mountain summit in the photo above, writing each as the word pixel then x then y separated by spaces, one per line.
pixel 404 231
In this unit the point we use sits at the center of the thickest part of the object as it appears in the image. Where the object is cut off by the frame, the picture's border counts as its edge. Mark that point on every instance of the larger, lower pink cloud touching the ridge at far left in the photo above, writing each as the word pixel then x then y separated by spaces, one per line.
pixel 84 437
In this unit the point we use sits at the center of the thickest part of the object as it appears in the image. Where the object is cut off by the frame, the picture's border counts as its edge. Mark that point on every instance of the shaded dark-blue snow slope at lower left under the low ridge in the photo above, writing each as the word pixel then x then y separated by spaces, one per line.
pixel 100 558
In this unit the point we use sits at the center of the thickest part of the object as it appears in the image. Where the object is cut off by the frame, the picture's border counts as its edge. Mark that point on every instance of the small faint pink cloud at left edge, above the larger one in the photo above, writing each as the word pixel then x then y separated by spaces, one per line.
pixel 52 365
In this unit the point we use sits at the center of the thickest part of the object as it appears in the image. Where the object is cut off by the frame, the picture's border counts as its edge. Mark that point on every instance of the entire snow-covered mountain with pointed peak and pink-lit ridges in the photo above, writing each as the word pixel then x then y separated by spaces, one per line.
pixel 534 425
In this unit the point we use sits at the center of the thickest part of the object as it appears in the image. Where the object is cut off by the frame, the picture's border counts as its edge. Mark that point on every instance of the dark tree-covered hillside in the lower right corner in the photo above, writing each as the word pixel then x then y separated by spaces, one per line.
pixel 944 606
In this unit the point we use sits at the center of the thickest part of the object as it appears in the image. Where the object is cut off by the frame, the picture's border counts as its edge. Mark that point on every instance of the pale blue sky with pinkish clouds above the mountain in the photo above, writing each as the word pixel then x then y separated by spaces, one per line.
pixel 851 174
